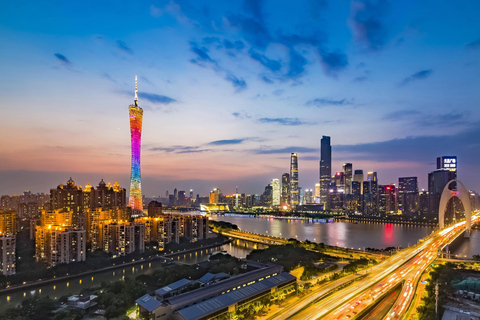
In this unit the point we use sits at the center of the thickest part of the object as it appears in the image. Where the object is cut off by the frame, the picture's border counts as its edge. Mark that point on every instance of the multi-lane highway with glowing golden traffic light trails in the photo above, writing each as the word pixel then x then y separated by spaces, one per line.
pixel 406 266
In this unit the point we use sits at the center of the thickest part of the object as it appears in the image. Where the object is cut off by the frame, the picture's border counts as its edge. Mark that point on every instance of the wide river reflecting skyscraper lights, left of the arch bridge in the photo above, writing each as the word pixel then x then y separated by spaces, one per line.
pixel 344 234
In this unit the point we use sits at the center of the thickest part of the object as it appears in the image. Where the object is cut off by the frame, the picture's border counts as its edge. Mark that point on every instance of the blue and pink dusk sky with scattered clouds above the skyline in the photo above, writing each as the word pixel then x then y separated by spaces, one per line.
pixel 230 88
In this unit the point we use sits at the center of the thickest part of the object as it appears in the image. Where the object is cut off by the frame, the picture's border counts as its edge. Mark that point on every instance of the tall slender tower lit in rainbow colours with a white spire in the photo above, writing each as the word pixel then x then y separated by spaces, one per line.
pixel 136 117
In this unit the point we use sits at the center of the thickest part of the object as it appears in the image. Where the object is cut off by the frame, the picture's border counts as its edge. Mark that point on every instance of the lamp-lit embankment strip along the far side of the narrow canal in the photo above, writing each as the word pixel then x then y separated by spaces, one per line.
pixel 166 257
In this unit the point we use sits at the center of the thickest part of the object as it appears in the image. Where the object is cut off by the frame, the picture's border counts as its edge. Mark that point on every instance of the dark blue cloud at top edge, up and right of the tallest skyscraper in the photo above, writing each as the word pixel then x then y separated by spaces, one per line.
pixel 367 22
